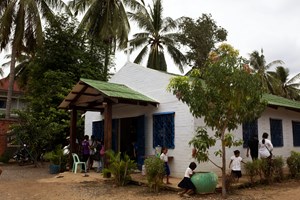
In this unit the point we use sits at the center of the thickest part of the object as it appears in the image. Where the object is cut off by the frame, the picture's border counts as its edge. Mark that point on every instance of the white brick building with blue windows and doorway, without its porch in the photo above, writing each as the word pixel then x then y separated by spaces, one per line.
pixel 172 125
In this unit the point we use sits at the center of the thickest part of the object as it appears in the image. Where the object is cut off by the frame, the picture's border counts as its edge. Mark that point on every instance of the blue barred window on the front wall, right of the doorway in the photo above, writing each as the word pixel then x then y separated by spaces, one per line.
pixel 163 130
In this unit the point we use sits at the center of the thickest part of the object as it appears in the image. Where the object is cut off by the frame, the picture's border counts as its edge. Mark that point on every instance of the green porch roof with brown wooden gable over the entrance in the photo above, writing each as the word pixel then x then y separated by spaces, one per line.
pixel 90 95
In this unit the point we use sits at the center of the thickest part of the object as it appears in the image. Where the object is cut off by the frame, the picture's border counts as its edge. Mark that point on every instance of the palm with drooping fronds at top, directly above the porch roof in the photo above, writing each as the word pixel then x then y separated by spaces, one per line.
pixel 105 20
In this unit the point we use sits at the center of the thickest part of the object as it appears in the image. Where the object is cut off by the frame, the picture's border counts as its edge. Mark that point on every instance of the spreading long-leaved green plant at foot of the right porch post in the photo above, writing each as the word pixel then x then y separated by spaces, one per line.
pixel 119 167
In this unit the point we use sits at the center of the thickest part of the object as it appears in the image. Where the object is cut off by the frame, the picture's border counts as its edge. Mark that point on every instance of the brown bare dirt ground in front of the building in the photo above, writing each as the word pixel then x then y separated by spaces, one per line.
pixel 30 183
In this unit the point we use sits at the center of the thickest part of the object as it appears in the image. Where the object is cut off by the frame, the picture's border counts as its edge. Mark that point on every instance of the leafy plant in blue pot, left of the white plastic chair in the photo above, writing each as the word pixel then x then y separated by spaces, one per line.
pixel 55 157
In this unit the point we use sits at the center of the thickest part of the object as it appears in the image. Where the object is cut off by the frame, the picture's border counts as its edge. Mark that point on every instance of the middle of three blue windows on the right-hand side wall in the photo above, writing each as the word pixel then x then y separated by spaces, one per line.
pixel 276 132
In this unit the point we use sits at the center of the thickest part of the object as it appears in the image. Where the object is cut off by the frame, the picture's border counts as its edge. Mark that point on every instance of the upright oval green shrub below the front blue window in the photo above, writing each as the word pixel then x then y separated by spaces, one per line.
pixel 155 172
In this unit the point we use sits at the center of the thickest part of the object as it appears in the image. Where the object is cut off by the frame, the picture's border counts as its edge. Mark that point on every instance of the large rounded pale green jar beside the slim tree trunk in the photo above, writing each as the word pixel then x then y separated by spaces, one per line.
pixel 205 182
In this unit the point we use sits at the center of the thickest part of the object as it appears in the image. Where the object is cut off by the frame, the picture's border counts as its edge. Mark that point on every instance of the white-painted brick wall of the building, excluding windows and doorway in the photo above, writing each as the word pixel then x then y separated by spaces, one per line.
pixel 153 84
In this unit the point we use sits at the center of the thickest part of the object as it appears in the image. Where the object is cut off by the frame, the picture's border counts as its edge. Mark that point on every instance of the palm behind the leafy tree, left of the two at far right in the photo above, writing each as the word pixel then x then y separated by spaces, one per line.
pixel 258 63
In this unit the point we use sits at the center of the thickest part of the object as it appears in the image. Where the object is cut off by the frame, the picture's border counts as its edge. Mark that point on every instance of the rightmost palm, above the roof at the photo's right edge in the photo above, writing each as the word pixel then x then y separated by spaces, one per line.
pixel 290 88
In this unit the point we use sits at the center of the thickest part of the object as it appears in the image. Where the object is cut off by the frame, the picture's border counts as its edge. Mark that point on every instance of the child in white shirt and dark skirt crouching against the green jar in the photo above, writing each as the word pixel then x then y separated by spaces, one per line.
pixel 186 182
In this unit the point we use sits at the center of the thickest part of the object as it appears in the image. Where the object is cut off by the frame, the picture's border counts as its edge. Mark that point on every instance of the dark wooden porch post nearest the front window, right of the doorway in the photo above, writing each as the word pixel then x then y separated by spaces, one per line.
pixel 107 128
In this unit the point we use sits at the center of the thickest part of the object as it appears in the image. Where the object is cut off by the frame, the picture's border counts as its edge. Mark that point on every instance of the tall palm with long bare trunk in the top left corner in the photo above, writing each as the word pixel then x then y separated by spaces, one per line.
pixel 21 30
